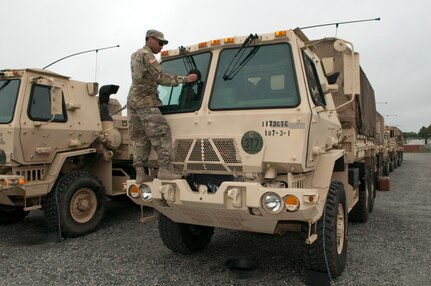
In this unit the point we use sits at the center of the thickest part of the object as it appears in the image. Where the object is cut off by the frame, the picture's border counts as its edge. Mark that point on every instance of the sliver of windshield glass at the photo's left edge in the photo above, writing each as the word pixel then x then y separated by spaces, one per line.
pixel 8 96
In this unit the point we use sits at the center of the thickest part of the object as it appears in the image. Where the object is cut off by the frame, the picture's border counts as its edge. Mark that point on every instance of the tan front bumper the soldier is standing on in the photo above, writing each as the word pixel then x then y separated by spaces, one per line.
pixel 235 205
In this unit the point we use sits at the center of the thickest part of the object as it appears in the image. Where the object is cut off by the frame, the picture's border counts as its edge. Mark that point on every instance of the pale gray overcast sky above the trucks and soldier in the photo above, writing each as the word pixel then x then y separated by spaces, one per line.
pixel 393 51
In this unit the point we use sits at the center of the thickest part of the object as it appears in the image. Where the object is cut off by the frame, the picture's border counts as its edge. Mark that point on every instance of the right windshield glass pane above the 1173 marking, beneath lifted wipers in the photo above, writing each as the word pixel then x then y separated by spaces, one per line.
pixel 266 81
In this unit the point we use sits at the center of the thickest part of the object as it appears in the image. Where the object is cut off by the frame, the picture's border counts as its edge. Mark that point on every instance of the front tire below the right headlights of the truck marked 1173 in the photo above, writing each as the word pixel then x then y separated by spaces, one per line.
pixel 329 251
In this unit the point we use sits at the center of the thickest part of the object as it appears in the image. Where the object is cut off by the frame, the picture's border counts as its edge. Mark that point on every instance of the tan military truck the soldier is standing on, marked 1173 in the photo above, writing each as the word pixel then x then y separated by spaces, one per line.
pixel 277 135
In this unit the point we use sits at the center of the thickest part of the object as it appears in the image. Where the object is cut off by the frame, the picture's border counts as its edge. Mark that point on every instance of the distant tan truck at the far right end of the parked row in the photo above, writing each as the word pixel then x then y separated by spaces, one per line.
pixel 395 146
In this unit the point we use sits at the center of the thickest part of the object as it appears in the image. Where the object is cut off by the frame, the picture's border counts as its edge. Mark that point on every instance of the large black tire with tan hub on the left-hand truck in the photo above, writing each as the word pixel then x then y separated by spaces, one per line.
pixel 76 204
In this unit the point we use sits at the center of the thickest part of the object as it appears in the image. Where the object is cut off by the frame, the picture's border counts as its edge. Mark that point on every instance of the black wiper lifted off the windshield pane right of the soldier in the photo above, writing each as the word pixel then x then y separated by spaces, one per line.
pixel 237 65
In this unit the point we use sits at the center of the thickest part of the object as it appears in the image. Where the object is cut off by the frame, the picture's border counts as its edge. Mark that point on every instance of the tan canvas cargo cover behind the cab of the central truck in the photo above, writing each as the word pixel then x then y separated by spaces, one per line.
pixel 360 114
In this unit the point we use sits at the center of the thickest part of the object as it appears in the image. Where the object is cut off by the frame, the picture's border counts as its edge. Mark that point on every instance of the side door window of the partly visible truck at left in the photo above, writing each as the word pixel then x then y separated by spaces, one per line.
pixel 39 107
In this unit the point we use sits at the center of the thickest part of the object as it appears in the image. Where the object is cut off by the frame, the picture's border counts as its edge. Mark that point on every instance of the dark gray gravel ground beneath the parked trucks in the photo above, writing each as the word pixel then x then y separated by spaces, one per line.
pixel 392 248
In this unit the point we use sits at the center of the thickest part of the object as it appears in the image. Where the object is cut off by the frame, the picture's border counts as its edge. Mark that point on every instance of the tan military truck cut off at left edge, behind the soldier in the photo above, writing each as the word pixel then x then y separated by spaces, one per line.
pixel 60 149
